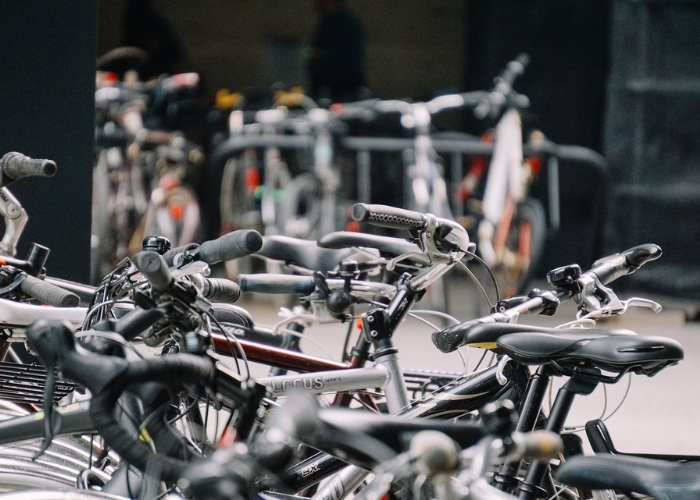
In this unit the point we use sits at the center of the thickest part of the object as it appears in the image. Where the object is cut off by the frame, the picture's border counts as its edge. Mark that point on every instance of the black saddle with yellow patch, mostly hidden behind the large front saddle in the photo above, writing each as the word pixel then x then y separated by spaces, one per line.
pixel 485 335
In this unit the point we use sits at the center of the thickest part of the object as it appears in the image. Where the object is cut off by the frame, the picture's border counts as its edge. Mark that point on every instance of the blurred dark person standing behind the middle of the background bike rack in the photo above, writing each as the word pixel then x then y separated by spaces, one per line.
pixel 337 62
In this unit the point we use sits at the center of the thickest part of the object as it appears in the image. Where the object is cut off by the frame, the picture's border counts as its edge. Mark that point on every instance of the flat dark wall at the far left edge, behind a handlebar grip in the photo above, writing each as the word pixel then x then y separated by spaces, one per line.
pixel 47 83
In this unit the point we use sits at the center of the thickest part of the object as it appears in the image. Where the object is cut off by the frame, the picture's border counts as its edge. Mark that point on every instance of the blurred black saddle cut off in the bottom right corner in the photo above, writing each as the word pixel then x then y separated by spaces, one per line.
pixel 656 478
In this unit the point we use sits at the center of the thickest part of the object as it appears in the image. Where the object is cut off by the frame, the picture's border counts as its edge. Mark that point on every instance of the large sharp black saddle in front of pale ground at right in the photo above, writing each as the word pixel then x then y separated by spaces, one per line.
pixel 642 355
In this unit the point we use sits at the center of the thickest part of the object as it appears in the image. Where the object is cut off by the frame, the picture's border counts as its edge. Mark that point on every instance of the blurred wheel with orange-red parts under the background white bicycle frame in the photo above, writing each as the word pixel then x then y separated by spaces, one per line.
pixel 522 247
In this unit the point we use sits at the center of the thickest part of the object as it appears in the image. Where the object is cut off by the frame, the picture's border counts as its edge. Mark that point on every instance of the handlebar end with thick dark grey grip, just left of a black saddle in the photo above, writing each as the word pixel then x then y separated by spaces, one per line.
pixel 230 246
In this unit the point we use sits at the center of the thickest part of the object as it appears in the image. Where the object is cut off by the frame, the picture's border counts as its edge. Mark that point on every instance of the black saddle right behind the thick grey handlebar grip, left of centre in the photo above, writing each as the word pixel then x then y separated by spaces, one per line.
pixel 302 253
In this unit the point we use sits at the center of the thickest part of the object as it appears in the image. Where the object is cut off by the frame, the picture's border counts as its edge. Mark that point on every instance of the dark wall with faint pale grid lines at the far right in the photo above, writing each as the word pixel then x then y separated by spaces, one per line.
pixel 652 139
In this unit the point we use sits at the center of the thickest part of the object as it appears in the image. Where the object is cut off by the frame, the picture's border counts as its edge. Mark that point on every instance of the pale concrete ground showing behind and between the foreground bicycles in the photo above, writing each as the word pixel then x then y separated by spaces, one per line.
pixel 661 414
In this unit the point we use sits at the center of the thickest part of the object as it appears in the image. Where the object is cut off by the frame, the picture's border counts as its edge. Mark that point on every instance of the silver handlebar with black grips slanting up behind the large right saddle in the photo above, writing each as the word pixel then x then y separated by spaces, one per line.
pixel 606 270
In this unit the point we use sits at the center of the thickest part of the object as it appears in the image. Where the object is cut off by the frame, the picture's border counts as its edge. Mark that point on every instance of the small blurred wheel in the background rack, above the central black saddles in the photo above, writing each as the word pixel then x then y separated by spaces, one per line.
pixel 301 211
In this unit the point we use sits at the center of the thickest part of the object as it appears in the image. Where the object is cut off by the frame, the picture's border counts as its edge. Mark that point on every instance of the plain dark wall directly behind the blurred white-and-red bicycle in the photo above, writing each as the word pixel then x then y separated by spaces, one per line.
pixel 568 44
